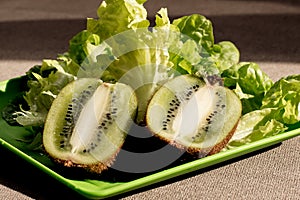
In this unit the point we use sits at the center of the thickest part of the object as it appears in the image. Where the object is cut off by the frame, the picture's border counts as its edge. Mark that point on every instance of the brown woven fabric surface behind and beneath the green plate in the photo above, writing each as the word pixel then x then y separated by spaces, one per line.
pixel 266 32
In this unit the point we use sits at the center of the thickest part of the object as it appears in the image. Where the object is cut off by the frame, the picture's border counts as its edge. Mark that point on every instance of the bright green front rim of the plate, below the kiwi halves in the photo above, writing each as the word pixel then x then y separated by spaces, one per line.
pixel 158 176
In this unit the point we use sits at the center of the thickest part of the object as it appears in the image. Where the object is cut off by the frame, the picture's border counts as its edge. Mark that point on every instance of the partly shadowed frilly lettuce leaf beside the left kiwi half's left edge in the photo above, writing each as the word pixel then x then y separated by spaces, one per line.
pixel 44 83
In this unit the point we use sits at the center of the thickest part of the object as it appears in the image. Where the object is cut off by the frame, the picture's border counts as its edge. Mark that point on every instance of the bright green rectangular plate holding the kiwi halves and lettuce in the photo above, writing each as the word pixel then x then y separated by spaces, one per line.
pixel 112 182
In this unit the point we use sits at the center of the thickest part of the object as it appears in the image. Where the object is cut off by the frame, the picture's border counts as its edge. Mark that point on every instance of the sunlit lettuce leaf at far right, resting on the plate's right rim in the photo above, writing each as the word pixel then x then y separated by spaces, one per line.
pixel 279 112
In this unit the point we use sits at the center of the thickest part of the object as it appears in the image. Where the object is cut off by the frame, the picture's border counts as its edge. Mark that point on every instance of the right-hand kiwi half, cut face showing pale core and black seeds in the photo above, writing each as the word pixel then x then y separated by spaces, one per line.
pixel 192 114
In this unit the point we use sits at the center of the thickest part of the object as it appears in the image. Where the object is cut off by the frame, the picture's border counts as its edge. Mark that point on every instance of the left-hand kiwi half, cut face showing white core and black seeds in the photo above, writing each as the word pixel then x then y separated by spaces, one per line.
pixel 87 123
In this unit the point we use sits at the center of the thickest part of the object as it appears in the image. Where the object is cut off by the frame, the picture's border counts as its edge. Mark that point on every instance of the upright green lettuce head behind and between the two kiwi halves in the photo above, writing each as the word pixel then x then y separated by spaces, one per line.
pixel 120 46
